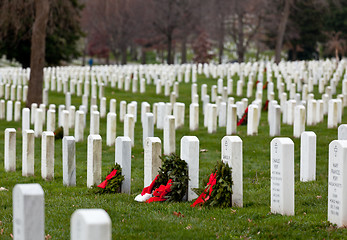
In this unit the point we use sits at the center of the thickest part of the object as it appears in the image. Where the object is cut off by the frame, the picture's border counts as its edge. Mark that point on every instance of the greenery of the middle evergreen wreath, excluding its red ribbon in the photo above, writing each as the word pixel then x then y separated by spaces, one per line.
pixel 176 169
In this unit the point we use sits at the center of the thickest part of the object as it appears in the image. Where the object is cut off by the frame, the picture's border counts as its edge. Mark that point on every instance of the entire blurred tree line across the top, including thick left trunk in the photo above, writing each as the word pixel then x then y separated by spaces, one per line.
pixel 38 33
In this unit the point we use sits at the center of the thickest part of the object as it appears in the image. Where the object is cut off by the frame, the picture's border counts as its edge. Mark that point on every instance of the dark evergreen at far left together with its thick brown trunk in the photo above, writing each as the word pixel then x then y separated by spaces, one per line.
pixel 29 32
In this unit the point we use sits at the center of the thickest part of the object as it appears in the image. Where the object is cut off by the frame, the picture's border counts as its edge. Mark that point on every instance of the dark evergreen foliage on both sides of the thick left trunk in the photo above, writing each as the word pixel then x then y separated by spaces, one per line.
pixel 62 33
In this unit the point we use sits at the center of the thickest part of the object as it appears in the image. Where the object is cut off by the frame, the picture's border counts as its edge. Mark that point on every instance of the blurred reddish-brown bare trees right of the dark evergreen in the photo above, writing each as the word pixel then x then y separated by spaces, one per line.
pixel 303 28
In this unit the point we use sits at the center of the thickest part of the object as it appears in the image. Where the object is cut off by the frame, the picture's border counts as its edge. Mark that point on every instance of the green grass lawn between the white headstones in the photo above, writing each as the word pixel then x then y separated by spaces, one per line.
pixel 131 219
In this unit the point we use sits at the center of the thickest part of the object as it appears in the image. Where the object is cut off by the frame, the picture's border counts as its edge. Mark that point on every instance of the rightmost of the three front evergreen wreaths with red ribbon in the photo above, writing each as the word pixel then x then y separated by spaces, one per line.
pixel 221 196
